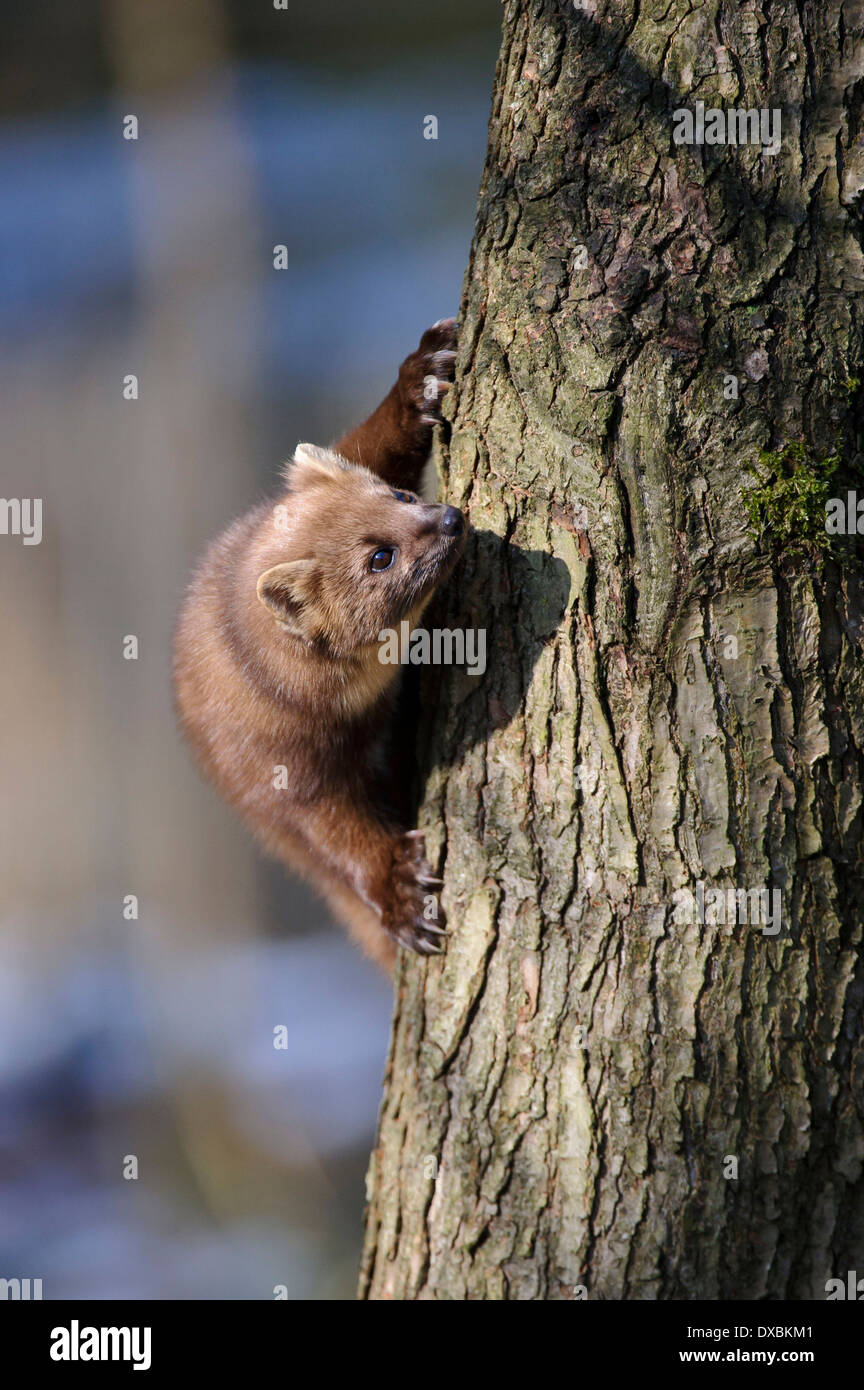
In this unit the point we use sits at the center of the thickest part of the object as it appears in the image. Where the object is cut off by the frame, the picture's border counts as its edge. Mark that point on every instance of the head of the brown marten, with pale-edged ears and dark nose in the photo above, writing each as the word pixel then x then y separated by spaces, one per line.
pixel 354 555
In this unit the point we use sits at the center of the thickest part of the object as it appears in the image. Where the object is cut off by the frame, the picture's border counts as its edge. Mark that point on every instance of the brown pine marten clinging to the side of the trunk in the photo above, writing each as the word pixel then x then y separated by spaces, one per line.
pixel 280 687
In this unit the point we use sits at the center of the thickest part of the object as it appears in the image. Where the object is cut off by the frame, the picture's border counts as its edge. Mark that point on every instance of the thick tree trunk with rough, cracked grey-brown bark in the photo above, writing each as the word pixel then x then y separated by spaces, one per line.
pixel 597 1093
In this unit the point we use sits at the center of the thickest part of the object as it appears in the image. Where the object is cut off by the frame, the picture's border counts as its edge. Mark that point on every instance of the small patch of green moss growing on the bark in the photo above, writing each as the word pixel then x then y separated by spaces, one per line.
pixel 787 501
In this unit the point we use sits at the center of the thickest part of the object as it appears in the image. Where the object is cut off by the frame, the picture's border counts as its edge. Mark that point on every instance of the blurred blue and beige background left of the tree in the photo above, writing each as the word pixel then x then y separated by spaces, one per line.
pixel 151 1038
